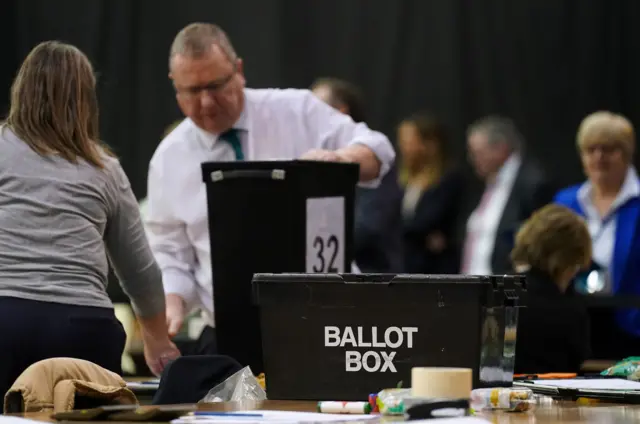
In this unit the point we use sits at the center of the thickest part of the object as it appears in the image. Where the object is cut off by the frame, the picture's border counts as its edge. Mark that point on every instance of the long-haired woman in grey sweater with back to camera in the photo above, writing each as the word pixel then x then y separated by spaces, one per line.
pixel 66 206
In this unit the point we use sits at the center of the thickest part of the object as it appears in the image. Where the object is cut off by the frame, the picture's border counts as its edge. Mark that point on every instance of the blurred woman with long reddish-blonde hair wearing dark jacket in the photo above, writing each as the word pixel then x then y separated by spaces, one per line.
pixel 431 188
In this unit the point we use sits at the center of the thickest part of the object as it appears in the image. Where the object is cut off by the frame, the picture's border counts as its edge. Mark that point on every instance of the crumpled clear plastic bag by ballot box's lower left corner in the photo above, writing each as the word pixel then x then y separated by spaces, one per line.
pixel 240 387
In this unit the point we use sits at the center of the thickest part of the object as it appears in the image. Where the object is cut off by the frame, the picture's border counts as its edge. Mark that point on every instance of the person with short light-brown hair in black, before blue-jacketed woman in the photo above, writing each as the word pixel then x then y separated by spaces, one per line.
pixel 553 330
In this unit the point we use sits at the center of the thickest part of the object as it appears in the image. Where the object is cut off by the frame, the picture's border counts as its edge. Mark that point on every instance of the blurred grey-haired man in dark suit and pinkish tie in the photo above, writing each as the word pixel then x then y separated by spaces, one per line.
pixel 514 187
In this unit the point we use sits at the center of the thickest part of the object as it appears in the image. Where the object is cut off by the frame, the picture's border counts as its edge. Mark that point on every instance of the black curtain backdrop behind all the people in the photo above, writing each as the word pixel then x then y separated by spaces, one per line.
pixel 544 63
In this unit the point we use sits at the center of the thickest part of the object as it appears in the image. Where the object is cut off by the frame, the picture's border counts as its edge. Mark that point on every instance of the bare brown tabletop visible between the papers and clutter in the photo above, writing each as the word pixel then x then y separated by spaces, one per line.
pixel 551 413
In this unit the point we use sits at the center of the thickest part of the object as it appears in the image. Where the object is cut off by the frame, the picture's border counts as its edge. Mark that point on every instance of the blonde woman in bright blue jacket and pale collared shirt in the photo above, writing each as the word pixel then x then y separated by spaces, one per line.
pixel 610 202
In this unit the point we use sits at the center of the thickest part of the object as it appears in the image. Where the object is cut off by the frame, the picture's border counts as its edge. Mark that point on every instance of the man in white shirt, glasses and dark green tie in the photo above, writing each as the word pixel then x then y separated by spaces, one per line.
pixel 226 121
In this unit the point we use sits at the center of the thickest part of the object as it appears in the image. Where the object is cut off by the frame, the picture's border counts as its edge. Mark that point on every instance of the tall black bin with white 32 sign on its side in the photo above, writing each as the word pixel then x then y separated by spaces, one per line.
pixel 272 217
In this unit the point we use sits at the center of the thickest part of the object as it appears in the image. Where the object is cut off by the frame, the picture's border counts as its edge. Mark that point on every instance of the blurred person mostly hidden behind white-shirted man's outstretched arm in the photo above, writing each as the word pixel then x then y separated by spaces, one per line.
pixel 377 229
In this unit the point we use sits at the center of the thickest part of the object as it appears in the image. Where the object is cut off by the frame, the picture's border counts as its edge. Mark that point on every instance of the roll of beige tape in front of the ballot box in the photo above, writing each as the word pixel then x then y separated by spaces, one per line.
pixel 441 383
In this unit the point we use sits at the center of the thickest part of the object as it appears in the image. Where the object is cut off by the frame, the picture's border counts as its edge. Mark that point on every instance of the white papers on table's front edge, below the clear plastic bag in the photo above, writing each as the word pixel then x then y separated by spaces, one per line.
pixel 284 417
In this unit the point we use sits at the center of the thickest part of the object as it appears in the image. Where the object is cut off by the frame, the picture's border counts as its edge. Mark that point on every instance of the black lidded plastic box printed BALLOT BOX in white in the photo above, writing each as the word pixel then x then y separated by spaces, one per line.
pixel 328 337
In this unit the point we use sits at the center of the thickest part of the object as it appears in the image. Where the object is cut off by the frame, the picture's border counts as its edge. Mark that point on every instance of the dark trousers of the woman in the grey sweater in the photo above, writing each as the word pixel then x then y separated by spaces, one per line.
pixel 31 331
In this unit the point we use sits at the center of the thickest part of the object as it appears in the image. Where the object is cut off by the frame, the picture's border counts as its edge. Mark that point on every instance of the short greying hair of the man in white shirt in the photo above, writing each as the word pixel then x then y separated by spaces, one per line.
pixel 196 39
